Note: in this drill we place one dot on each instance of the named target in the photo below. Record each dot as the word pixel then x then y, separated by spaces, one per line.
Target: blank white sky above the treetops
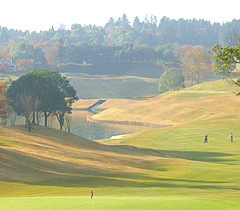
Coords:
pixel 43 14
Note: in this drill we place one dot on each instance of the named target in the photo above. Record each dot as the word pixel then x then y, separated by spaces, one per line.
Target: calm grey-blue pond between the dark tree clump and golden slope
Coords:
pixel 93 131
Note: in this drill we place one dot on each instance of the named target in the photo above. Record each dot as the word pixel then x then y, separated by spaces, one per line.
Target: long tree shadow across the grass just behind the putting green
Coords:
pixel 131 181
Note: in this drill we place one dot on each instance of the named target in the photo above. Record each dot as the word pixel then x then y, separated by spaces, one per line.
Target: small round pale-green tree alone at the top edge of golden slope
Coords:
pixel 171 79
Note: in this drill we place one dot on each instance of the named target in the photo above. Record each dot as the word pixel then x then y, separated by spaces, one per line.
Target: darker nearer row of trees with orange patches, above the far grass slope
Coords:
pixel 62 57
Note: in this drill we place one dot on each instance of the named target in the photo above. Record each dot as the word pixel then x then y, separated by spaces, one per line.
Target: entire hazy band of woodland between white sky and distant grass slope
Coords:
pixel 116 44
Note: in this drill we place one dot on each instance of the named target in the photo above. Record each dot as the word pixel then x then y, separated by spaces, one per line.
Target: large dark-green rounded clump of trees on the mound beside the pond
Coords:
pixel 44 91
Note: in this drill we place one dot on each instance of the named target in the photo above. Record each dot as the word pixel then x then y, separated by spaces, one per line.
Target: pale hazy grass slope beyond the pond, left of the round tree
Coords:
pixel 89 87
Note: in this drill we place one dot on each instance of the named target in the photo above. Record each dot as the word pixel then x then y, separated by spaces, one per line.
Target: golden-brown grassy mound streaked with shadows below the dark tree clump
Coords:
pixel 52 162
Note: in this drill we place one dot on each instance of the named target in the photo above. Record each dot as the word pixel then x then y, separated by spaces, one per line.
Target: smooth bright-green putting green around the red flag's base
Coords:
pixel 132 202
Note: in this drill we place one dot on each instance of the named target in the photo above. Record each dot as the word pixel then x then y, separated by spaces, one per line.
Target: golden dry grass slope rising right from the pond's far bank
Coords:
pixel 210 100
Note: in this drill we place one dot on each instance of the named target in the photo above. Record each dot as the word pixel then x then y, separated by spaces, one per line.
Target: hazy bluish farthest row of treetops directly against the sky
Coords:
pixel 150 31
